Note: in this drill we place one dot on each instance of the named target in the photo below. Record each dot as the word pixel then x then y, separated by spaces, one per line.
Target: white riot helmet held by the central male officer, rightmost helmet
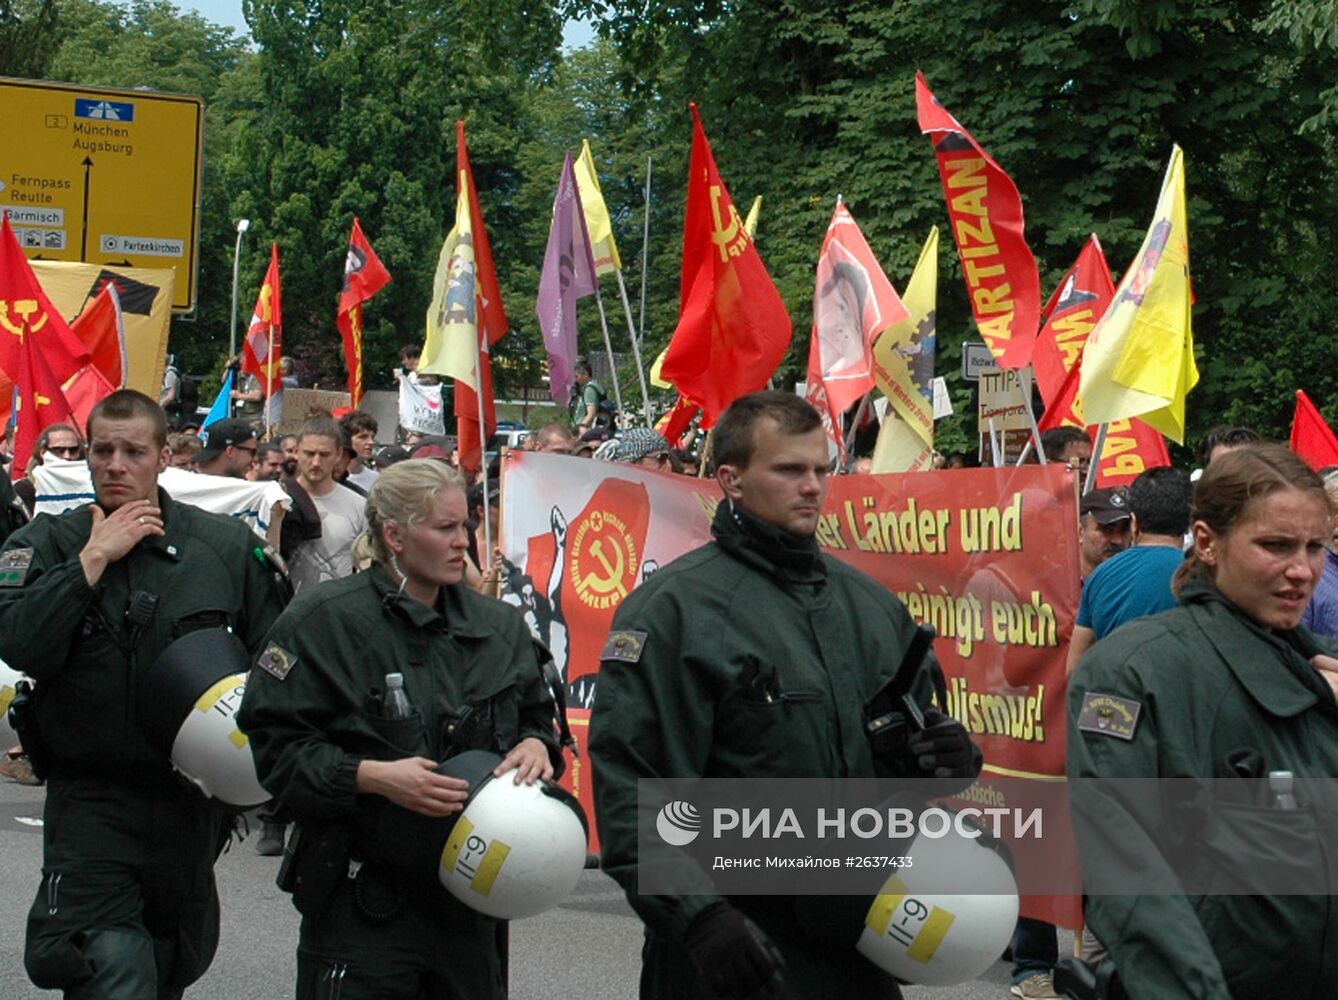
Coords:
pixel 932 938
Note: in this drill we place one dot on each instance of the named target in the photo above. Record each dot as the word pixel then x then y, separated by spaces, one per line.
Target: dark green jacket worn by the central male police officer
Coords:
pixel 834 637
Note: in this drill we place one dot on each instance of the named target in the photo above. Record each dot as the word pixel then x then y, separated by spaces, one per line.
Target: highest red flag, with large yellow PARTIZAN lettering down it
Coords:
pixel 987 215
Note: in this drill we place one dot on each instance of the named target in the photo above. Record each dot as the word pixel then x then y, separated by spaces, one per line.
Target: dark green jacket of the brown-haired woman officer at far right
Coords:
pixel 1209 681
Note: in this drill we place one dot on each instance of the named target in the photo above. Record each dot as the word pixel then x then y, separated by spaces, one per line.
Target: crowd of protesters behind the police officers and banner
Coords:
pixel 1133 543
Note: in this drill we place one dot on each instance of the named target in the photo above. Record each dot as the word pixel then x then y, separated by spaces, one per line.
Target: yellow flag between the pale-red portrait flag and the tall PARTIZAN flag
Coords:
pixel 904 371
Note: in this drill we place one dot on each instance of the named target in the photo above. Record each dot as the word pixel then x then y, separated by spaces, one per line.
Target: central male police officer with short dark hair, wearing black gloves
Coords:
pixel 754 657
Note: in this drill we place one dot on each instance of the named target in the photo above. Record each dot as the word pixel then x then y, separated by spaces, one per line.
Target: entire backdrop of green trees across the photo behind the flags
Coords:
pixel 347 108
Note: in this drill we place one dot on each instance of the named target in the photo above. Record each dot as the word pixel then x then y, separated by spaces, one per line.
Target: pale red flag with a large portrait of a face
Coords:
pixel 853 303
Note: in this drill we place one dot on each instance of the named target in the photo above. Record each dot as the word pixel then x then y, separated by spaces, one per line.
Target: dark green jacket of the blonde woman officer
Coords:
pixel 311 729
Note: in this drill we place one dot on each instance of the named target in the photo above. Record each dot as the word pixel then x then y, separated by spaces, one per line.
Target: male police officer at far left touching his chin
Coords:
pixel 128 906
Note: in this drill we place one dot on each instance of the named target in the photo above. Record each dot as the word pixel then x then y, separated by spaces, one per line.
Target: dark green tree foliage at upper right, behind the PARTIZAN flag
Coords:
pixel 1079 102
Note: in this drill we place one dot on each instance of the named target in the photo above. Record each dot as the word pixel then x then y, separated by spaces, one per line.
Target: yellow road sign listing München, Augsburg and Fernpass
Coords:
pixel 104 176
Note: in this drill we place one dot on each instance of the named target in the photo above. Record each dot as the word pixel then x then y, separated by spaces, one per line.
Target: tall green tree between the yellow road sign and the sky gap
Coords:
pixel 357 117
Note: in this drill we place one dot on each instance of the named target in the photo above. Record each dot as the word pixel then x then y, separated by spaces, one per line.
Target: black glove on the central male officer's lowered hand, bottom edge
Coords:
pixel 734 955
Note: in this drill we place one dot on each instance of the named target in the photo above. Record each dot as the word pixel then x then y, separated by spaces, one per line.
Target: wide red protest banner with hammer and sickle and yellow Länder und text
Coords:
pixel 971 552
